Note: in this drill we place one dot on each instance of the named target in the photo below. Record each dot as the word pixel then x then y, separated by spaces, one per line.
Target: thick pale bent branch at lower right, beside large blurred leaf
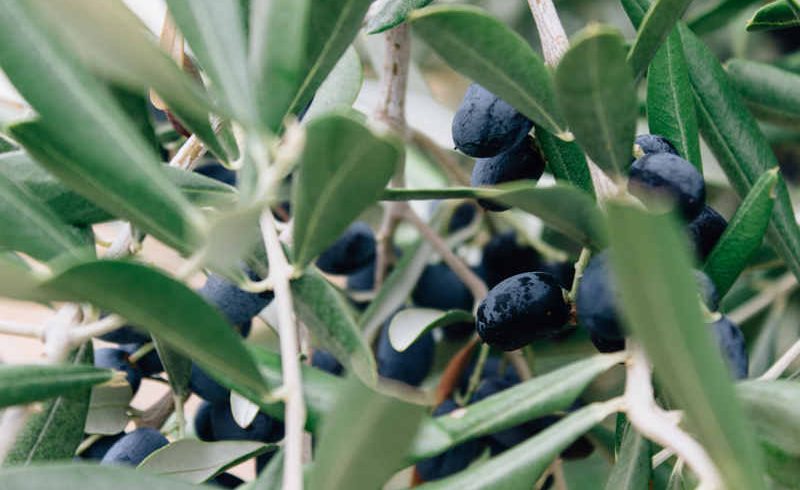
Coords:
pixel 655 424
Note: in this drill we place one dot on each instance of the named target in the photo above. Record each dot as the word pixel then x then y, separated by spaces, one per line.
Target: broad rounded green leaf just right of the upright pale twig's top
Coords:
pixel 342 171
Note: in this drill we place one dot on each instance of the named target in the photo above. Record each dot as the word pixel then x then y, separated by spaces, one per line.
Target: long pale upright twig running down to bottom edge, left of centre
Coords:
pixel 292 390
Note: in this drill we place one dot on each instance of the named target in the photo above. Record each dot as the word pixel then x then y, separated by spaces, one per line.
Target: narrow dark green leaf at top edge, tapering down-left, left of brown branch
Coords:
pixel 332 27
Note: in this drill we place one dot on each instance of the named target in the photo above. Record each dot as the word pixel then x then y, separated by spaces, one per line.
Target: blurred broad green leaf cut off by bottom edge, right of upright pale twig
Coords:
pixel 358 448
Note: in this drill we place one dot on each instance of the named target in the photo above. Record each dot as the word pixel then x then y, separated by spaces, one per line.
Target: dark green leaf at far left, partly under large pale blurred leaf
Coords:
pixel 124 186
